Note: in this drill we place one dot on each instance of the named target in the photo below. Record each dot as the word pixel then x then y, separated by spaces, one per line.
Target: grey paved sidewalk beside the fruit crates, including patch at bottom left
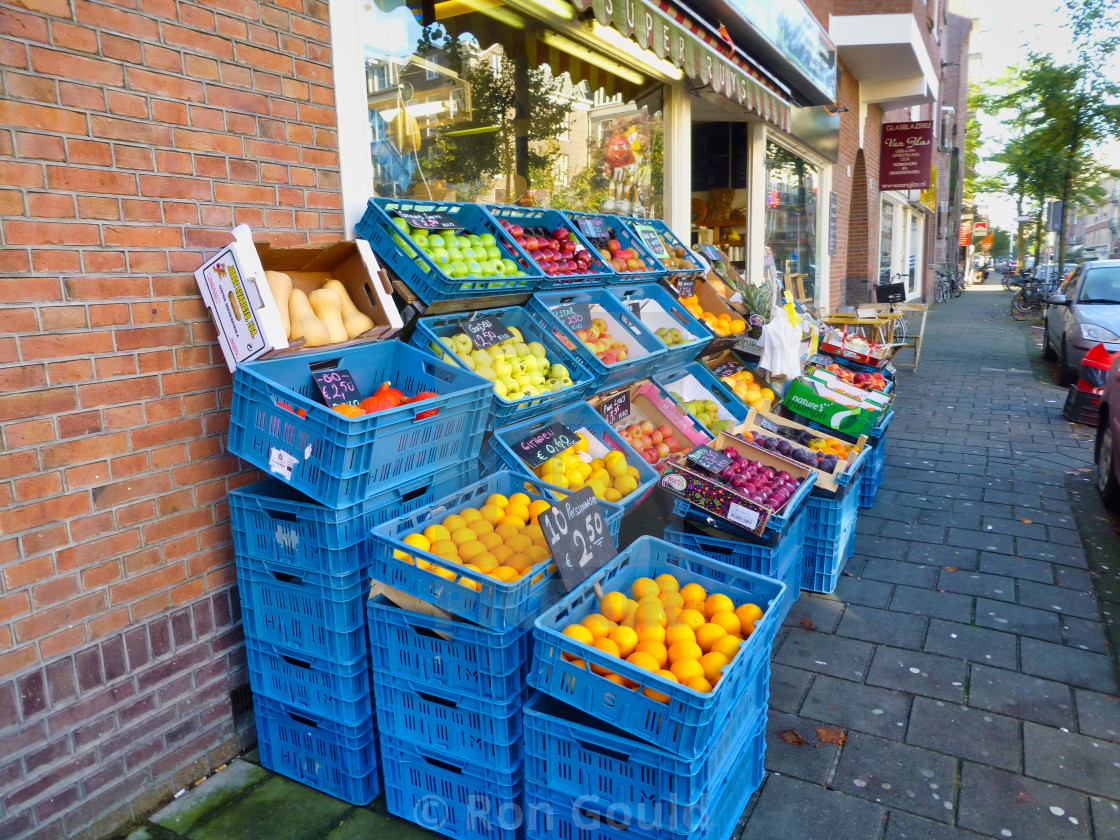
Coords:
pixel 963 662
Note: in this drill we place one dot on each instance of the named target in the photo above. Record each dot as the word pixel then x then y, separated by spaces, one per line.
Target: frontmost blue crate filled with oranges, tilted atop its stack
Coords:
pixel 671 683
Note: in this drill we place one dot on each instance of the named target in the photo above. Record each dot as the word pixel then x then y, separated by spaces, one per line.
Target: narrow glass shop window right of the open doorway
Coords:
pixel 791 219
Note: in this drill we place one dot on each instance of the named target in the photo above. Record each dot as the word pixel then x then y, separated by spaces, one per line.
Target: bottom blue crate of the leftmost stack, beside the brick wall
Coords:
pixel 337 759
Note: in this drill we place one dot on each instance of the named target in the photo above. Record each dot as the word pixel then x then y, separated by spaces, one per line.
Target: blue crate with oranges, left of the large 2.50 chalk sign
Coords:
pixel 479 554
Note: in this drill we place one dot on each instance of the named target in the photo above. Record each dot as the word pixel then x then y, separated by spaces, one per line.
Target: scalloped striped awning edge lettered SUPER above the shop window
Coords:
pixel 671 36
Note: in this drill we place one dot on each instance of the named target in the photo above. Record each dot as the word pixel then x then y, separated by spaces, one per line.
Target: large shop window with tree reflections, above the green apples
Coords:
pixel 489 105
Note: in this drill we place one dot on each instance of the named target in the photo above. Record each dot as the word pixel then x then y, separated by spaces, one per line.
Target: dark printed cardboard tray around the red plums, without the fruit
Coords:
pixel 697 487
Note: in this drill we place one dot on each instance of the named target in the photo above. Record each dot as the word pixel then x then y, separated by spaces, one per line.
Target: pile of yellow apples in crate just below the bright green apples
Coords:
pixel 518 369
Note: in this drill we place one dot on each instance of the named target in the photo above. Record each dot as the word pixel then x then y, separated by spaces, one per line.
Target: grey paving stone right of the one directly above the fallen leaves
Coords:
pixel 958 731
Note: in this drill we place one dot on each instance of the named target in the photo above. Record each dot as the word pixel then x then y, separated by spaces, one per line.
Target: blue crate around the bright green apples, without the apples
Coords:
pixel 419 272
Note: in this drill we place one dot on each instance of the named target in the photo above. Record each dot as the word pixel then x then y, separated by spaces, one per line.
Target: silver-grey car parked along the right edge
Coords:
pixel 1084 311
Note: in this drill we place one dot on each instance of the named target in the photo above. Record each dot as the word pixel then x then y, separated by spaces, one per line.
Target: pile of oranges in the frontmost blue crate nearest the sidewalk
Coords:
pixel 682 634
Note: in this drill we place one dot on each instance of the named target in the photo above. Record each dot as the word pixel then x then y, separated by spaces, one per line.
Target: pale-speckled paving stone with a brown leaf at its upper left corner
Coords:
pixel 899 777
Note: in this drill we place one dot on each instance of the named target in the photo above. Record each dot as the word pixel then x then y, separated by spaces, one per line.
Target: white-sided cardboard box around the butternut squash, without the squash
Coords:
pixel 240 302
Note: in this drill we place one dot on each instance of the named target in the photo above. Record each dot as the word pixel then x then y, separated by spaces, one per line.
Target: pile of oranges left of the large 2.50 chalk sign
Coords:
pixel 502 540
